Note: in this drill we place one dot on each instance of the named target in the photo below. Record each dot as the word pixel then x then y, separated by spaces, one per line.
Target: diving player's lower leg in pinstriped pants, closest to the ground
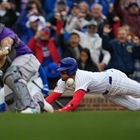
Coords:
pixel 126 101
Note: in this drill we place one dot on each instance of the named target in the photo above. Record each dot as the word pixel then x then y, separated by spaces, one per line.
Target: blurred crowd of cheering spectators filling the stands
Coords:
pixel 99 34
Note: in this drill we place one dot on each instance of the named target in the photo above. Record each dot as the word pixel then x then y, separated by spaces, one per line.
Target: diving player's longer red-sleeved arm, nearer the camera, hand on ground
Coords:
pixel 77 97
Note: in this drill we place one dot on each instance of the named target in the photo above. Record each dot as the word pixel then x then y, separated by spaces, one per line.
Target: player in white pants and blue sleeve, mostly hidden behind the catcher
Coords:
pixel 37 91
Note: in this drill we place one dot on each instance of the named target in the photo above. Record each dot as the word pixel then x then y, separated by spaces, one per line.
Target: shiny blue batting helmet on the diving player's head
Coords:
pixel 69 64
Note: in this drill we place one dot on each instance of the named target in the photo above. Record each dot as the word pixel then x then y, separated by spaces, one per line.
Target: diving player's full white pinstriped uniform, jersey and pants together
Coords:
pixel 118 85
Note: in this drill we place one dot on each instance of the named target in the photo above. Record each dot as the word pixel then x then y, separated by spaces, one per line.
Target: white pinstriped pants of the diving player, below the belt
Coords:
pixel 124 91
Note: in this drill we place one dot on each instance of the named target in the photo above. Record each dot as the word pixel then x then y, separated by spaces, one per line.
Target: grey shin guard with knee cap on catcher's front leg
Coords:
pixel 13 80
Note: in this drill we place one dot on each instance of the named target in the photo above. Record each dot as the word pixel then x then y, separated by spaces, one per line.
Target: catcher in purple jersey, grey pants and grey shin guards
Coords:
pixel 18 65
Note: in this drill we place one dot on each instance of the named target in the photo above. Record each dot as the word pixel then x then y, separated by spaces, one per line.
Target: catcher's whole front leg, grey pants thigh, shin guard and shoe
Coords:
pixel 17 77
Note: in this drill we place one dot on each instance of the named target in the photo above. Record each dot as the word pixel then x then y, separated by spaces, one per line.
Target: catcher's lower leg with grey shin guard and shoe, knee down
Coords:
pixel 20 93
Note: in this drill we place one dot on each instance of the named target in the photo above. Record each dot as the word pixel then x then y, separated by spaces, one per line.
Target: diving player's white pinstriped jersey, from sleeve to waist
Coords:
pixel 92 82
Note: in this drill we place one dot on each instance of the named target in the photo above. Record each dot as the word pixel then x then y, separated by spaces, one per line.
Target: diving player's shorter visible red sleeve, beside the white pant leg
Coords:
pixel 52 97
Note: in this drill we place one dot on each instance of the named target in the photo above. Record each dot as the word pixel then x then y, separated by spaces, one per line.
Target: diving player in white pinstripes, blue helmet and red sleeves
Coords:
pixel 112 83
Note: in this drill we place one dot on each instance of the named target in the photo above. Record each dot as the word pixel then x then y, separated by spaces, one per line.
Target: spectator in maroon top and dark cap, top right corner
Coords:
pixel 131 16
